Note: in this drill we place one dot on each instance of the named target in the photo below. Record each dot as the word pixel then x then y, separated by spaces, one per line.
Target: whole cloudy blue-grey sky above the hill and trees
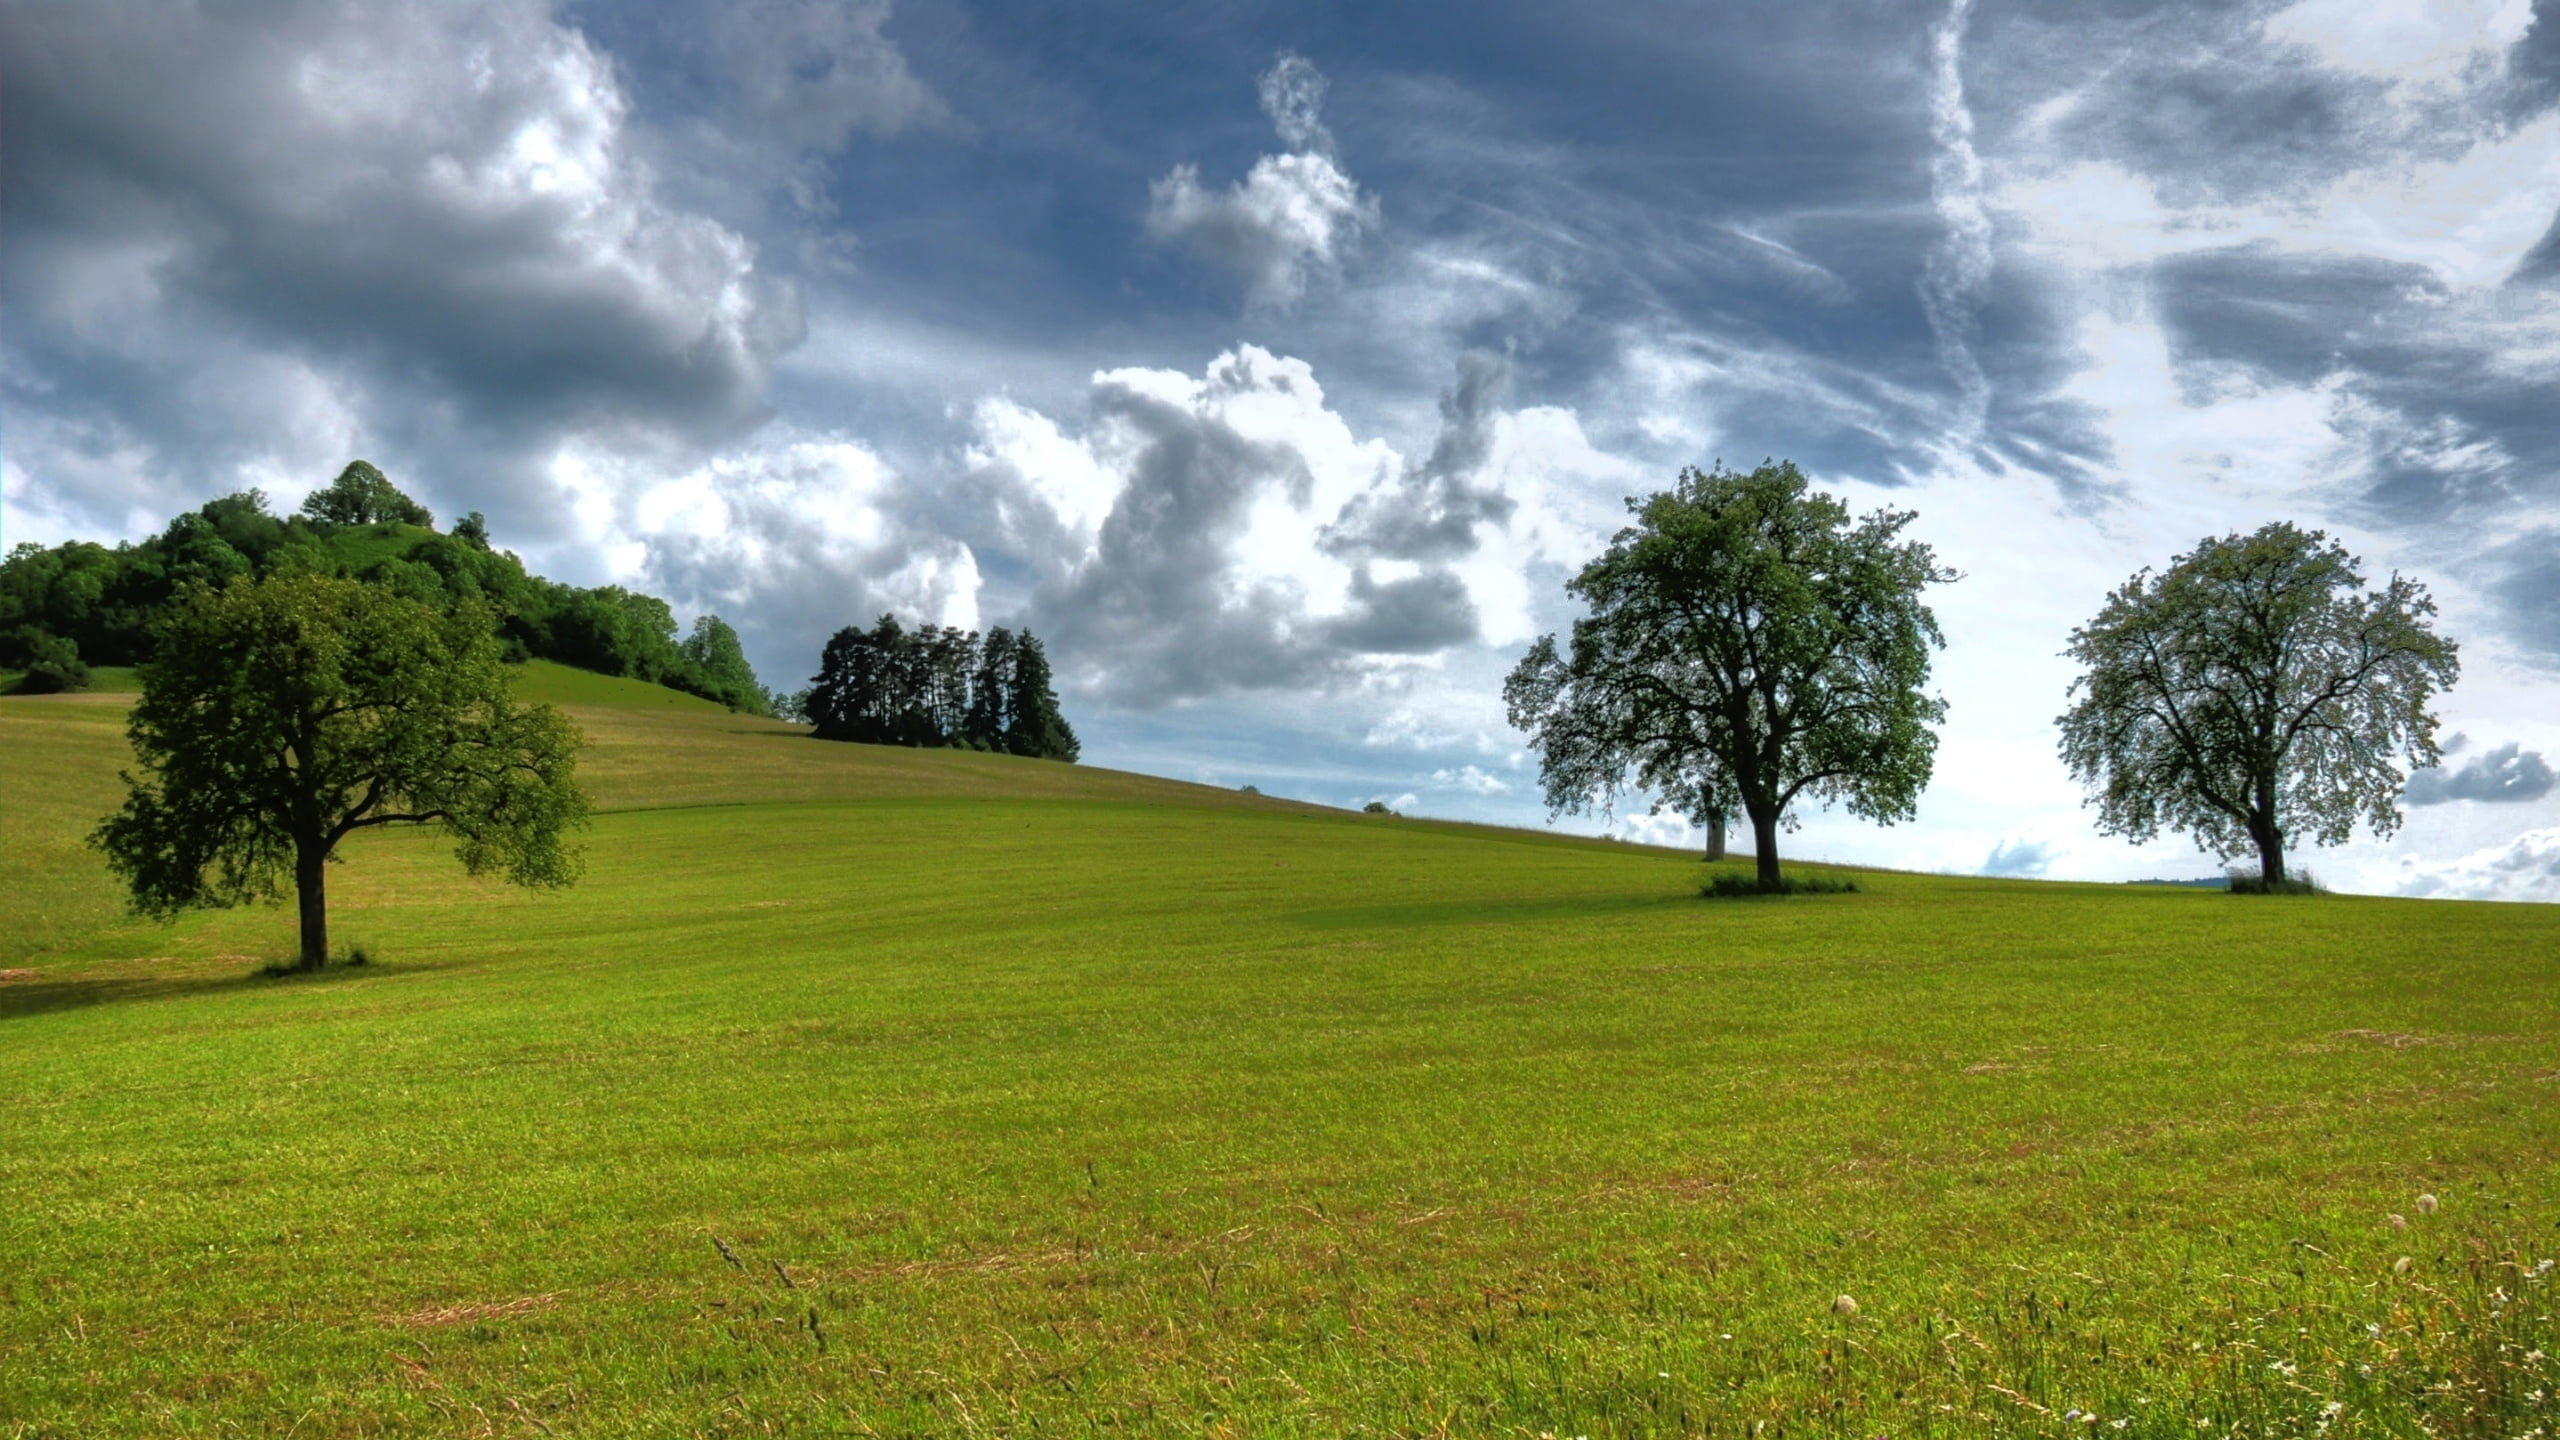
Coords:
pixel 1279 363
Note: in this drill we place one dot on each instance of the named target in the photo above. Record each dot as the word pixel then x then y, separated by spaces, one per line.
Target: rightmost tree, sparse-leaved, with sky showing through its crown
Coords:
pixel 2252 693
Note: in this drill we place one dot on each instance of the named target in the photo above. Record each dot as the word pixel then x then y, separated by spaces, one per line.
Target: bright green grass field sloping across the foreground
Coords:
pixel 884 1093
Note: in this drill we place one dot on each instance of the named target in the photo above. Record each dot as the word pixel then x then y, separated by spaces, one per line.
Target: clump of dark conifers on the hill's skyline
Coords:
pixel 938 688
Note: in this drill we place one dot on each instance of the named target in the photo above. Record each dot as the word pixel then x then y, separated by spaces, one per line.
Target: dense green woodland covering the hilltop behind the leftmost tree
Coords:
pixel 81 603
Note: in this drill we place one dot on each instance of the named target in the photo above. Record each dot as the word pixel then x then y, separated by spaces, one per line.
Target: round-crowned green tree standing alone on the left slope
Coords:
pixel 285 714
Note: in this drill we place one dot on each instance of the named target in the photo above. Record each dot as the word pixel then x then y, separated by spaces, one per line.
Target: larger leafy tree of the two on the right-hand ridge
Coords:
pixel 1747 647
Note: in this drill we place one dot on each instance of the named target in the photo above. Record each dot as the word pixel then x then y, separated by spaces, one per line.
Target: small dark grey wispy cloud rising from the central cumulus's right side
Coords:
pixel 1435 511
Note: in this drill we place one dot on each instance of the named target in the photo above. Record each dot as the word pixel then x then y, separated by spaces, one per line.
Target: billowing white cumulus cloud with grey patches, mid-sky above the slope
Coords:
pixel 1233 532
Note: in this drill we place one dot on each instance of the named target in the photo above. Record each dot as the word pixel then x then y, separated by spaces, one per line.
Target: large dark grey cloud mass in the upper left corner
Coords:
pixel 429 214
